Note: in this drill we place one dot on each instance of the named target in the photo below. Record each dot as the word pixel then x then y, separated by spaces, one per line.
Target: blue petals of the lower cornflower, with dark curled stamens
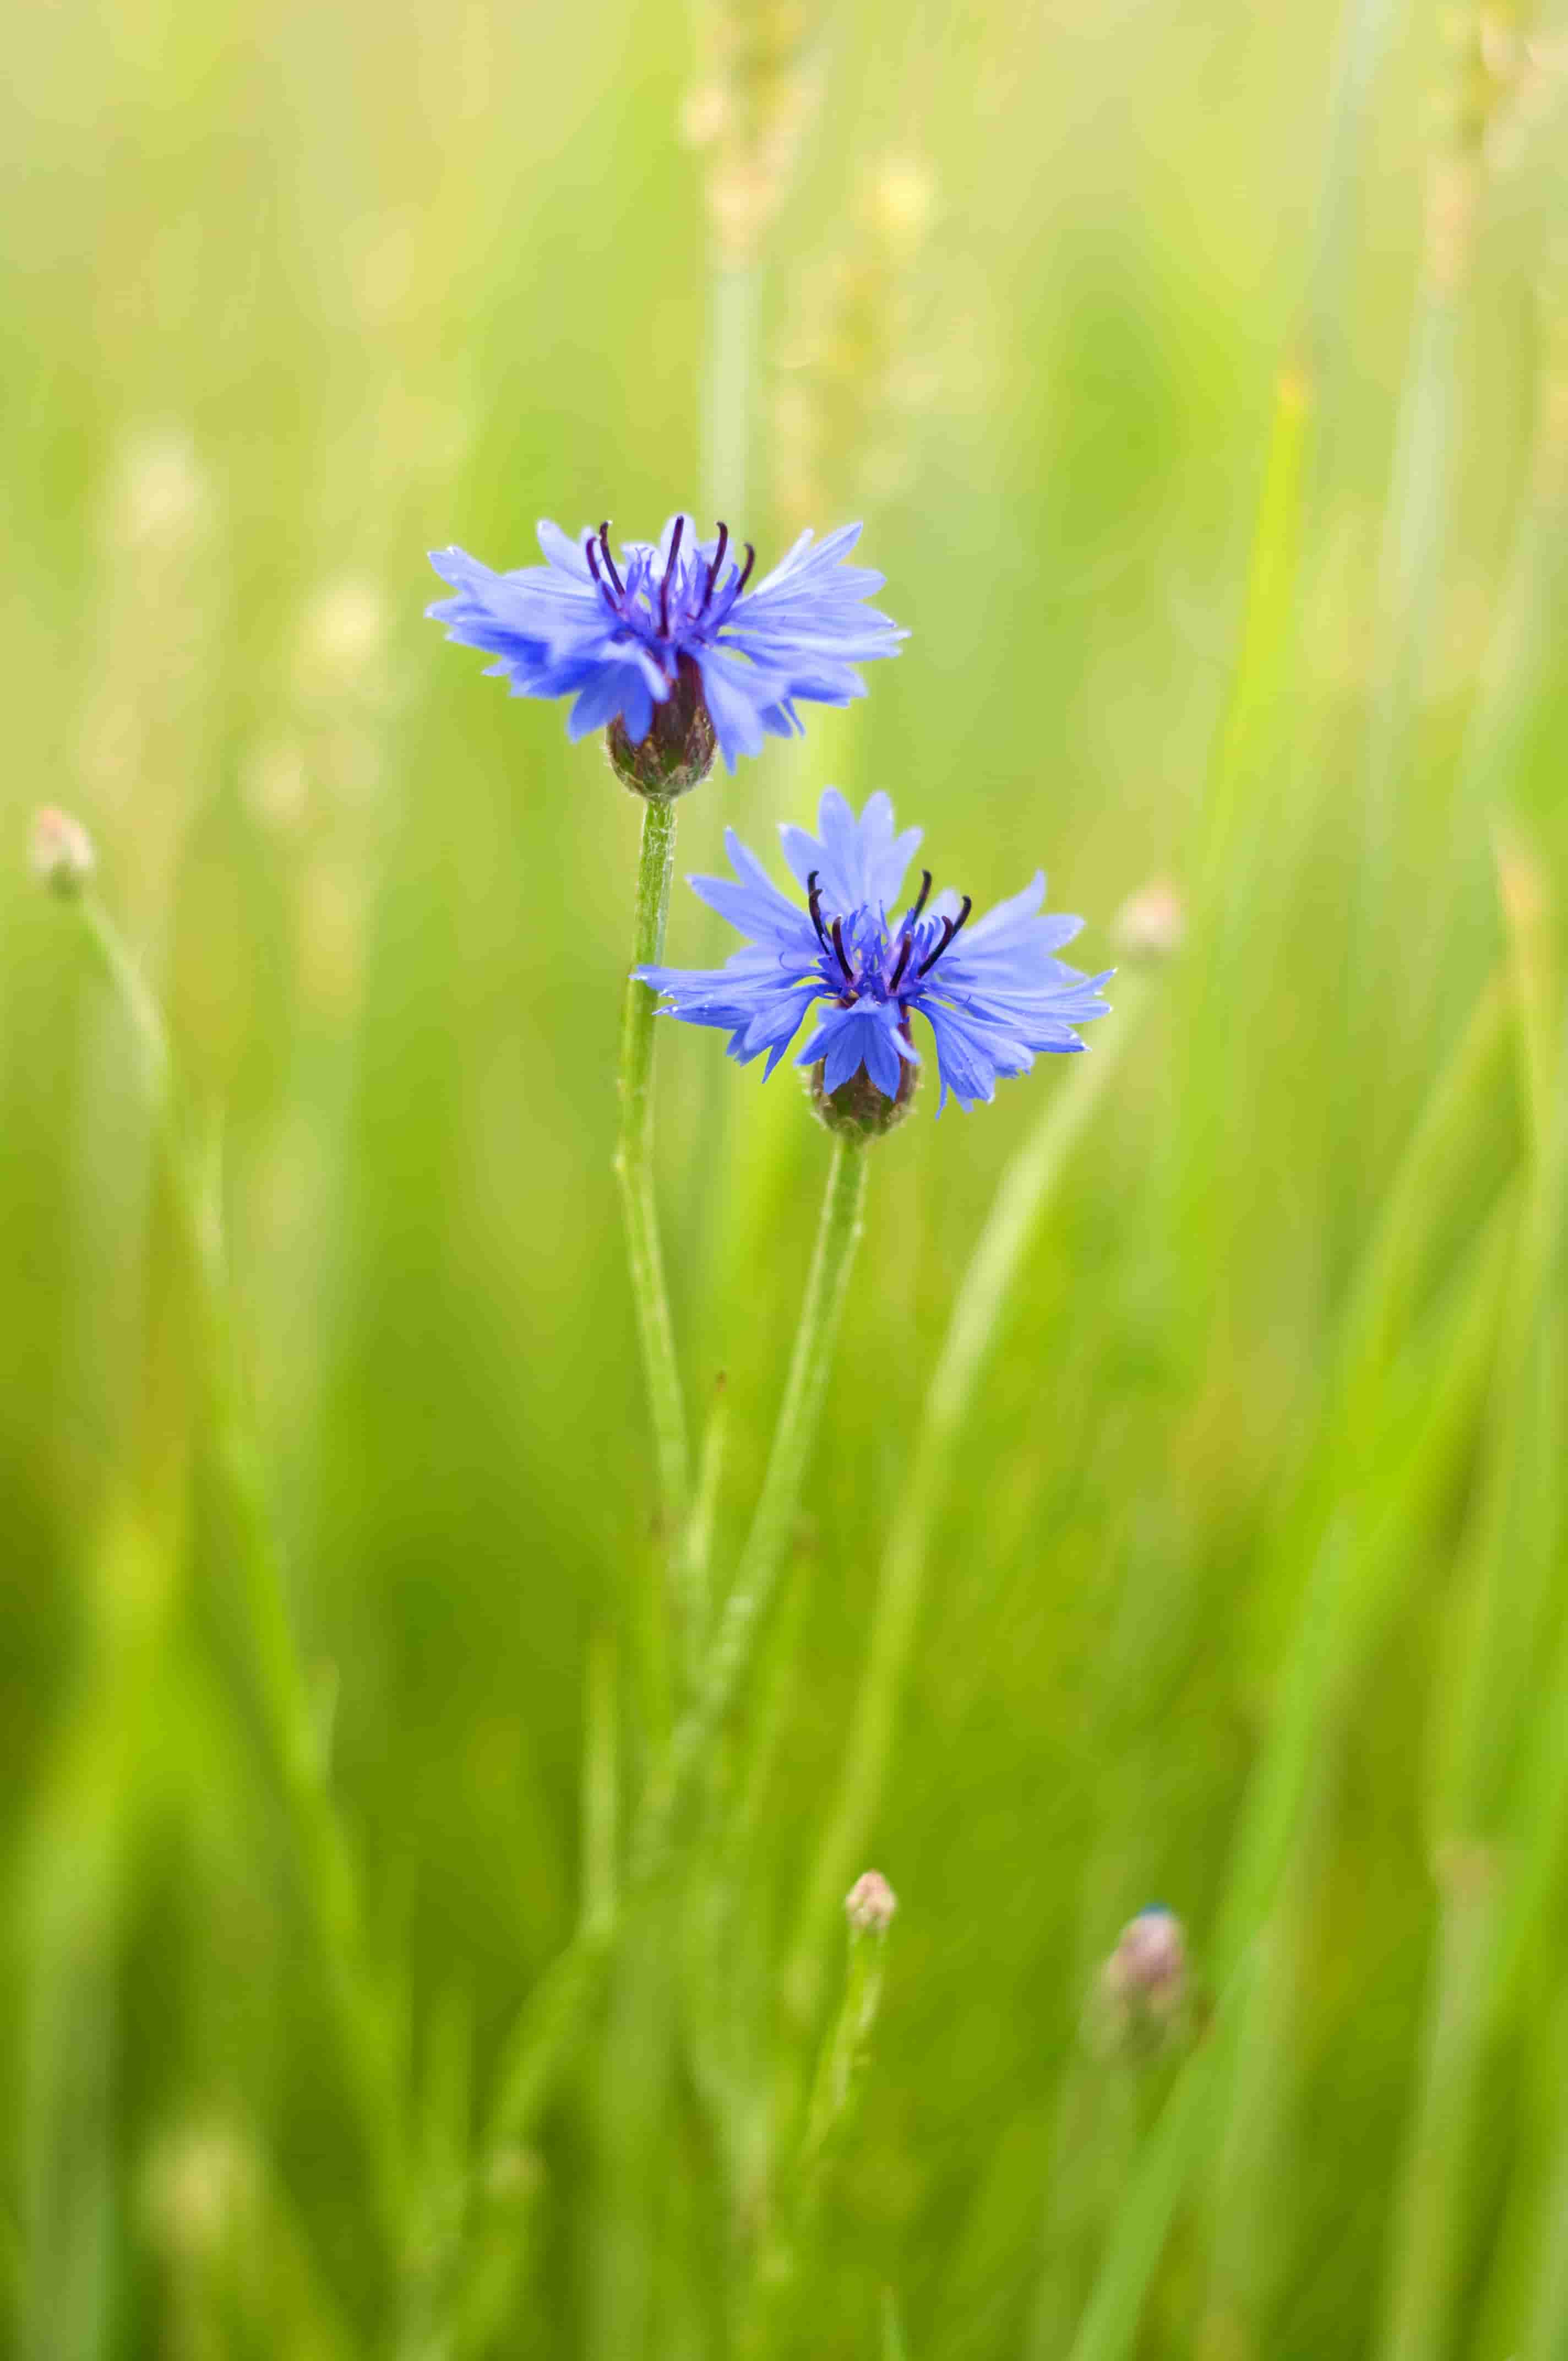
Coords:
pixel 993 993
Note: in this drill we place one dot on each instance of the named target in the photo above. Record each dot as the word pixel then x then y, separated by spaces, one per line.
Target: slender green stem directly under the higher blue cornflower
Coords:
pixel 636 1163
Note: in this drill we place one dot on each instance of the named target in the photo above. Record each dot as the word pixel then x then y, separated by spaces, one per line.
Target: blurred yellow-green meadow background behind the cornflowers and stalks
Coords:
pixel 1203 379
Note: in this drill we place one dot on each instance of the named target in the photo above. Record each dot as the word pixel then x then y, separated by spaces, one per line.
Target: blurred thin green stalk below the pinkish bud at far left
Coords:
pixel 282 1687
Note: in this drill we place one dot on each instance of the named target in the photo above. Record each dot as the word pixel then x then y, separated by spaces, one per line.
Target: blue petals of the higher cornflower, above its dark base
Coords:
pixel 622 636
